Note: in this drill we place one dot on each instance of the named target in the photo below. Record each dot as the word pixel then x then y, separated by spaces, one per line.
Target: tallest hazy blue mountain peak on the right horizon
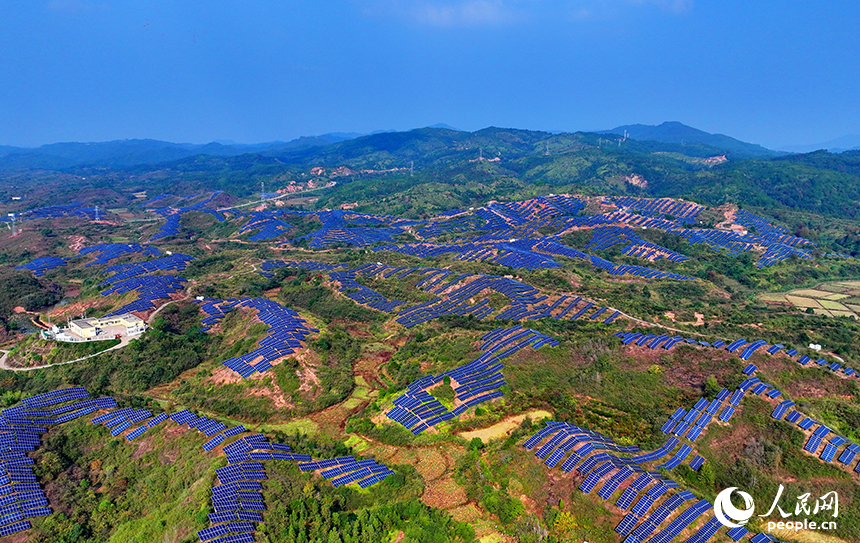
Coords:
pixel 675 132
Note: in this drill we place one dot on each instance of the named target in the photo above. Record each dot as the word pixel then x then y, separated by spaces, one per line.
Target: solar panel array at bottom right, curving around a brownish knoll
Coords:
pixel 570 446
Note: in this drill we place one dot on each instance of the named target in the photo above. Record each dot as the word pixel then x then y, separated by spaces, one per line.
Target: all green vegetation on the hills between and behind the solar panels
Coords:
pixel 329 398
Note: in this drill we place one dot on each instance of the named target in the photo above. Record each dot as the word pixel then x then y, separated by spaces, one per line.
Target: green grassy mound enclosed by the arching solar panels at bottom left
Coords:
pixel 155 497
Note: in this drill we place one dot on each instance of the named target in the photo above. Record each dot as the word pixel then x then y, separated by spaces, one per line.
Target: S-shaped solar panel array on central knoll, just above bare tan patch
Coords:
pixel 476 382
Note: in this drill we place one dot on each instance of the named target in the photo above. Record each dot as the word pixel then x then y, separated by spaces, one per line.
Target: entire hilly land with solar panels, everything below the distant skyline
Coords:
pixel 432 336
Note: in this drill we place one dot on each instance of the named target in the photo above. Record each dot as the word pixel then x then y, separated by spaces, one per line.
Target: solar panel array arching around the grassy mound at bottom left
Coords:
pixel 237 500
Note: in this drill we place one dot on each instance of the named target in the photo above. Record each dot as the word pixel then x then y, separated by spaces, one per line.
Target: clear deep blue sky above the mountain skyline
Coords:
pixel 768 72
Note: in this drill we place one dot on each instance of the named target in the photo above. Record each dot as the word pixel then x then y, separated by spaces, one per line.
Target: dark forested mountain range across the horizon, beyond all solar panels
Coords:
pixel 433 160
